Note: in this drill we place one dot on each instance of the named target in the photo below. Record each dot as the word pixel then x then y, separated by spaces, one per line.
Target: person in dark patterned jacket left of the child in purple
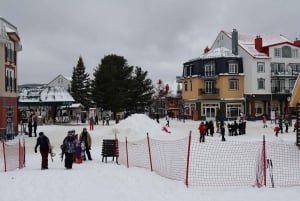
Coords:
pixel 68 149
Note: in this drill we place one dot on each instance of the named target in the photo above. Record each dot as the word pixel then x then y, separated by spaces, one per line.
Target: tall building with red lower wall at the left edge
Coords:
pixel 10 45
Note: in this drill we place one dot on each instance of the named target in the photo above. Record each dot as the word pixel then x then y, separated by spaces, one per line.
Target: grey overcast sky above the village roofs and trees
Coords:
pixel 156 35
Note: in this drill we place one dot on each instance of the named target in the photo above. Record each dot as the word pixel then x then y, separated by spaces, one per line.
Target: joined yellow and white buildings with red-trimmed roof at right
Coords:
pixel 242 74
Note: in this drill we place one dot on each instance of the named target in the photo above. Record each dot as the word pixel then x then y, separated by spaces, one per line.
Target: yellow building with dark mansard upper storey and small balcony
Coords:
pixel 213 84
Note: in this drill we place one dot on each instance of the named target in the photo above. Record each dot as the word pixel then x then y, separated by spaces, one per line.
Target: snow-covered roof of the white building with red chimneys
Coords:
pixel 247 42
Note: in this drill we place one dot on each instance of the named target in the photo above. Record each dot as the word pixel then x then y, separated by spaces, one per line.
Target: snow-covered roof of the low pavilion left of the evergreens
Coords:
pixel 44 94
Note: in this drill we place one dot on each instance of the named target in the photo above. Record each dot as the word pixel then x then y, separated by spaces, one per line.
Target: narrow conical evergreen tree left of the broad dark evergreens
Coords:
pixel 80 85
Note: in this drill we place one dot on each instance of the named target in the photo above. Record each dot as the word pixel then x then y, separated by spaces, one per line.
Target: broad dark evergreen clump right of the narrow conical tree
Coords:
pixel 117 87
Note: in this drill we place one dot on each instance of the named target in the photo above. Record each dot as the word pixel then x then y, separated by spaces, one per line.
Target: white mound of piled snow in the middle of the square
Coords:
pixel 136 127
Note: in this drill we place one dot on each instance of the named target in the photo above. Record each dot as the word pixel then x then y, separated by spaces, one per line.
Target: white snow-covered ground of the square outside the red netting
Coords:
pixel 94 180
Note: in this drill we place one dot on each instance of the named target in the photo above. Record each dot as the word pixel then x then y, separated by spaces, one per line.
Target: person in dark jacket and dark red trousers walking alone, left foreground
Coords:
pixel 45 148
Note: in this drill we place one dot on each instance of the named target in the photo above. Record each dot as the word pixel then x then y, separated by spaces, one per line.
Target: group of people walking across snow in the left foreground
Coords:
pixel 74 148
